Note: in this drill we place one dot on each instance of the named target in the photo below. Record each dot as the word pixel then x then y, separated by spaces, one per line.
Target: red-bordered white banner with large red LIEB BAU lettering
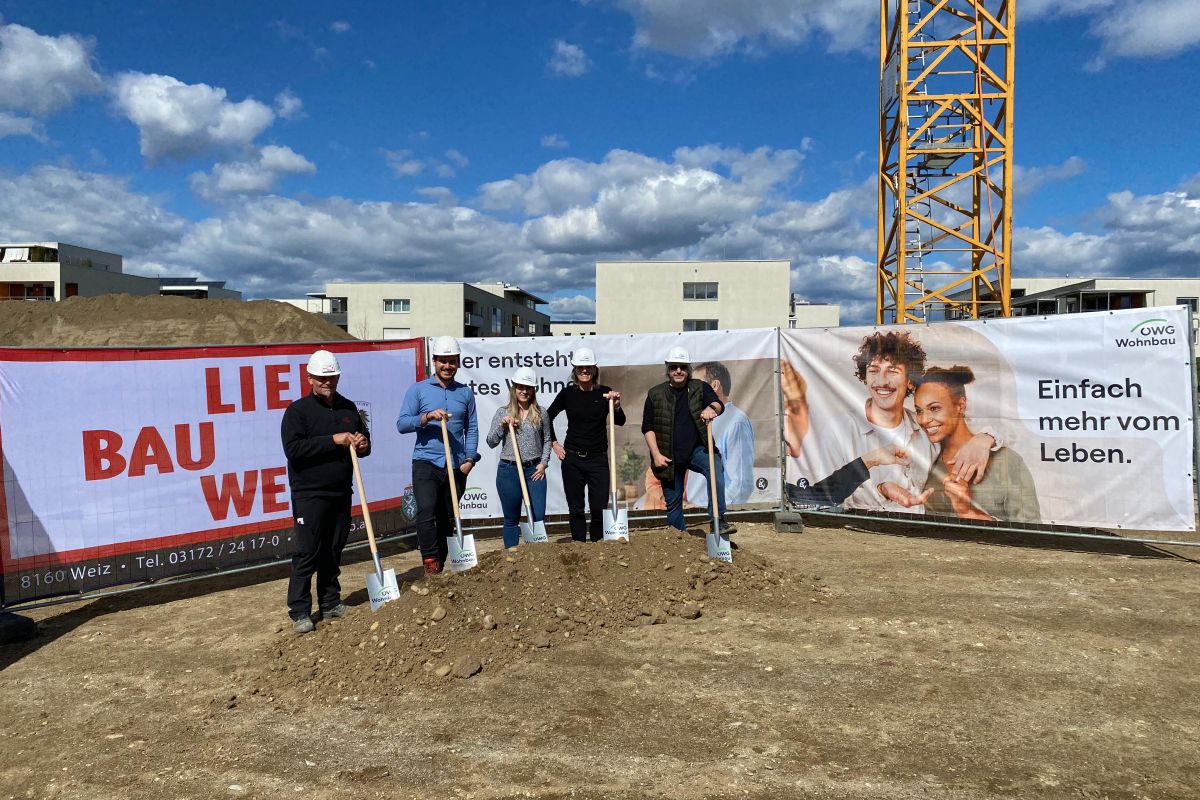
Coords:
pixel 129 465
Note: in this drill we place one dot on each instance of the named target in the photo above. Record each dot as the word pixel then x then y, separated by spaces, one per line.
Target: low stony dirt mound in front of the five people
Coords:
pixel 514 605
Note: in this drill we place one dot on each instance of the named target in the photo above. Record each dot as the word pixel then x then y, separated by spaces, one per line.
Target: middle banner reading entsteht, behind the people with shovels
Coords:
pixel 747 435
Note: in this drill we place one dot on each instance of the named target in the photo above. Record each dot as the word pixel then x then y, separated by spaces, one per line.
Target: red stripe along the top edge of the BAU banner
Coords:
pixel 217 352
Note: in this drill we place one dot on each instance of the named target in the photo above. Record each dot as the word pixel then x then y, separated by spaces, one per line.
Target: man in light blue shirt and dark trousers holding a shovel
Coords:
pixel 427 404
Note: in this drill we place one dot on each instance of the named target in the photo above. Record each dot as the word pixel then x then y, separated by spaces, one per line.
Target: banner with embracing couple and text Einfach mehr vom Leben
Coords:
pixel 1073 420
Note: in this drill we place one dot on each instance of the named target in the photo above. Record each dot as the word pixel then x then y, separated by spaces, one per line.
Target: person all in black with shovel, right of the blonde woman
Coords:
pixel 585 453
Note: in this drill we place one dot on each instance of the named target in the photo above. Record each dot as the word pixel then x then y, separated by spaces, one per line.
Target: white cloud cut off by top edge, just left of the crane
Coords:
pixel 706 29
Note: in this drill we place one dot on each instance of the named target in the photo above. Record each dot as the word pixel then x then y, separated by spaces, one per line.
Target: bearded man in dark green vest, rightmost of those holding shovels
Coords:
pixel 675 424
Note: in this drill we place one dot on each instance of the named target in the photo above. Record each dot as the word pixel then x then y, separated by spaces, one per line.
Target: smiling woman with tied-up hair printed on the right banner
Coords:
pixel 1007 490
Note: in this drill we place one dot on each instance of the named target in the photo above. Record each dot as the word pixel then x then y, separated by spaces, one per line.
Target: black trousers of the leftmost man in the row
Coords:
pixel 322 526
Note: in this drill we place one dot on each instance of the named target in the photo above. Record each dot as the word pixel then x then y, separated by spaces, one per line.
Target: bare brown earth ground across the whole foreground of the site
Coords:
pixel 898 666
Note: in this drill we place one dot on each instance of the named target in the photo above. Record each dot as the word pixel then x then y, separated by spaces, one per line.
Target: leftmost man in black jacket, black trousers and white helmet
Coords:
pixel 319 431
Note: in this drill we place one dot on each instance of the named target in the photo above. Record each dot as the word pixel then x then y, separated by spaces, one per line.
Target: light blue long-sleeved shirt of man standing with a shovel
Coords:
pixel 463 426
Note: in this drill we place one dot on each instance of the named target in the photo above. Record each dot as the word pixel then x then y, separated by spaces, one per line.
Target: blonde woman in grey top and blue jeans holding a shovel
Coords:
pixel 532 425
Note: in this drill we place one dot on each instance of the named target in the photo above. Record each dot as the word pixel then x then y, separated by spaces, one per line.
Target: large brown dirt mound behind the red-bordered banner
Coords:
pixel 127 321
